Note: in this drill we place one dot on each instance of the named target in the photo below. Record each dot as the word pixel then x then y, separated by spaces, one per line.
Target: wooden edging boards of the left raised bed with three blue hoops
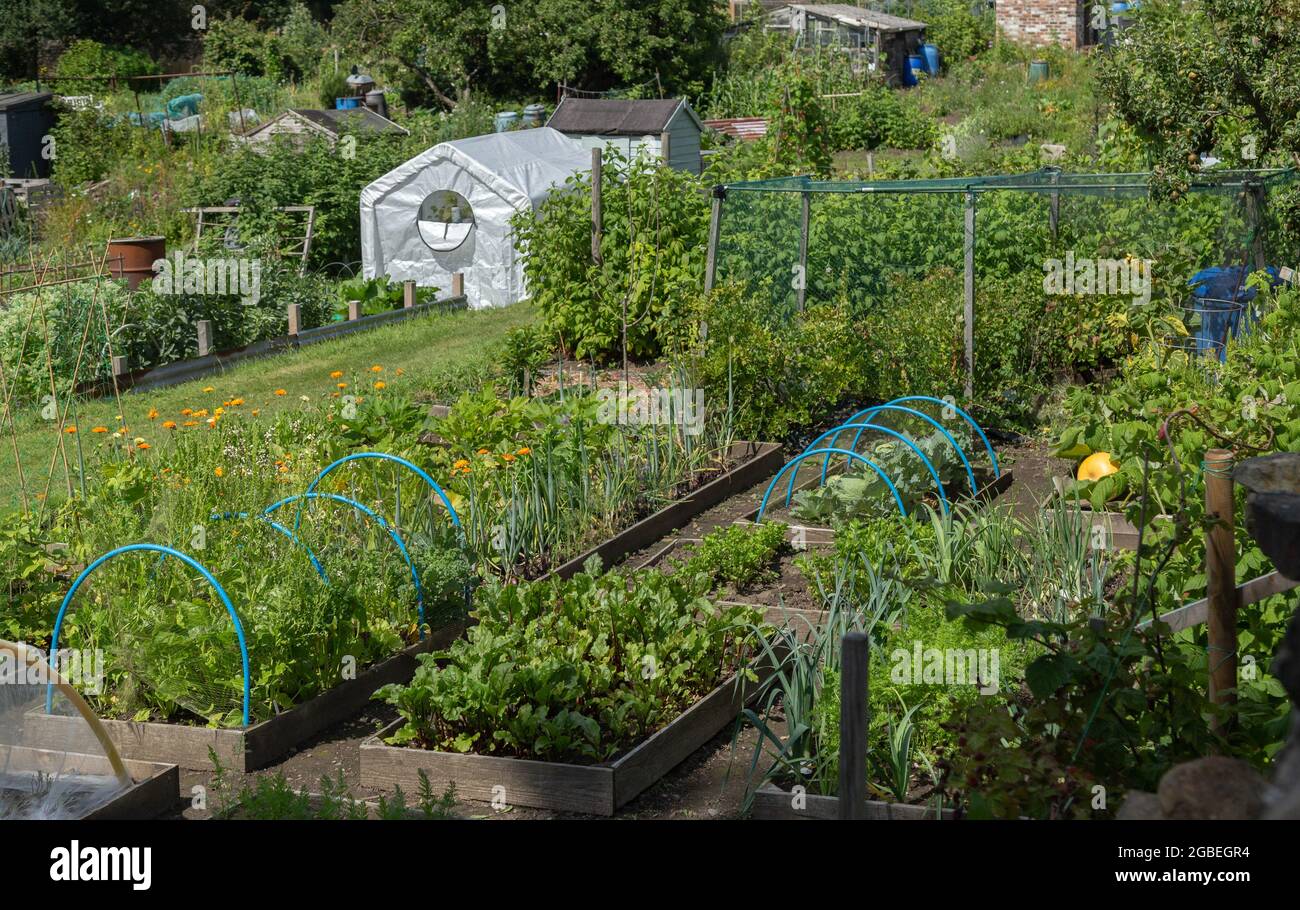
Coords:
pixel 261 744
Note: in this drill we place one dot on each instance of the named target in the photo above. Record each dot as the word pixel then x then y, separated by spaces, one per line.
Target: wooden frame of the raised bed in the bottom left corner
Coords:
pixel 154 791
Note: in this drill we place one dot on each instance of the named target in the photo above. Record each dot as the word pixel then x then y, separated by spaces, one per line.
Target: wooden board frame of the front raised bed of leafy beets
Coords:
pixel 593 790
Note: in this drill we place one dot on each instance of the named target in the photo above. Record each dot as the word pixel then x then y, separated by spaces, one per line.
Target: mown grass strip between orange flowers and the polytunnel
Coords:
pixel 414 356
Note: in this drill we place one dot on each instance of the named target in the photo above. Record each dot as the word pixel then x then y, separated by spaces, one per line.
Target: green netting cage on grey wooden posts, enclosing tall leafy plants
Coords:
pixel 800 241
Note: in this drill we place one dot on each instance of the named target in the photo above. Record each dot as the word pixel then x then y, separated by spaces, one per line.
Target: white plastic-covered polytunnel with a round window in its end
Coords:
pixel 449 210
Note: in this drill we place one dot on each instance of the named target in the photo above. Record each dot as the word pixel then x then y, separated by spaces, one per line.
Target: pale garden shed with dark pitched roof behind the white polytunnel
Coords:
pixel 634 128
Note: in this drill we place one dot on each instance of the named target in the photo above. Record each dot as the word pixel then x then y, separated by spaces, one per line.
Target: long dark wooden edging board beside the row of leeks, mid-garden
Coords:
pixel 753 461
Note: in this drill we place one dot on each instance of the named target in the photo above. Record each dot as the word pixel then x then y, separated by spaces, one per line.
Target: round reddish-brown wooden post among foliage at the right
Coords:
pixel 1221 582
